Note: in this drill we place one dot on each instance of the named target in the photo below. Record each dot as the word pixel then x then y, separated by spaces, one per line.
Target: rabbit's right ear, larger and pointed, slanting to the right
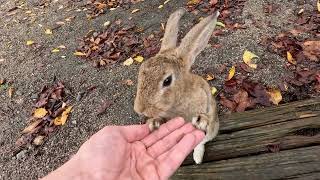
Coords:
pixel 197 39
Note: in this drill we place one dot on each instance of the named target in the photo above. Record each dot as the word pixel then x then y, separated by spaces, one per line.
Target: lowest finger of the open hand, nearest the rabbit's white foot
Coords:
pixel 170 161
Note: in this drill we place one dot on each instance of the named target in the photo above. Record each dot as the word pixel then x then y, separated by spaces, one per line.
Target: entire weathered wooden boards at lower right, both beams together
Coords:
pixel 254 137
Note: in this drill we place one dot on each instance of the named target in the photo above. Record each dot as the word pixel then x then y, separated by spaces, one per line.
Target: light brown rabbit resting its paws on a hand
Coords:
pixel 166 87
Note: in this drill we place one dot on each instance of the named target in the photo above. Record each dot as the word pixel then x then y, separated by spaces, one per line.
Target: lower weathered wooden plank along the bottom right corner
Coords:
pixel 302 163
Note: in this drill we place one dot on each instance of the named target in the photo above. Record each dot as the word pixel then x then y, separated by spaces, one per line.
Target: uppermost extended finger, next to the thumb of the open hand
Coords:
pixel 163 131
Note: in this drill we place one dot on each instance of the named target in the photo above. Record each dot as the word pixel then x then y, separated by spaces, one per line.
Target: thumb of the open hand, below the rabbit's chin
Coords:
pixel 130 133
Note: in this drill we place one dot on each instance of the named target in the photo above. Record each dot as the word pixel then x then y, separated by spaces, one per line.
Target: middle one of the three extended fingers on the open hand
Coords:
pixel 169 141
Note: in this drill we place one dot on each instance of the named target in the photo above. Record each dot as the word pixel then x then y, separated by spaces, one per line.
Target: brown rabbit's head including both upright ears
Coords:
pixel 163 79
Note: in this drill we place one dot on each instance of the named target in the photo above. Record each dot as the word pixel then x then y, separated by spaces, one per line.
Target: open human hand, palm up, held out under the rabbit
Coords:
pixel 132 152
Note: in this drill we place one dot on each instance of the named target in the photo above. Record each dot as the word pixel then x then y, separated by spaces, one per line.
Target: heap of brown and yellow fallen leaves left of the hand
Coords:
pixel 52 109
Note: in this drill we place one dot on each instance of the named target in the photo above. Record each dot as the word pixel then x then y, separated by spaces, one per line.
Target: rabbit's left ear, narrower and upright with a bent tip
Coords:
pixel 169 40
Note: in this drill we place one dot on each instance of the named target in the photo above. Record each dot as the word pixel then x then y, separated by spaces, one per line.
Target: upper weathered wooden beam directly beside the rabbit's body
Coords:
pixel 278 128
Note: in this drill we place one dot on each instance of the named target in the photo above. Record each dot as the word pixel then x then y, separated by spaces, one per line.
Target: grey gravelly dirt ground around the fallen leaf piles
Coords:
pixel 29 68
